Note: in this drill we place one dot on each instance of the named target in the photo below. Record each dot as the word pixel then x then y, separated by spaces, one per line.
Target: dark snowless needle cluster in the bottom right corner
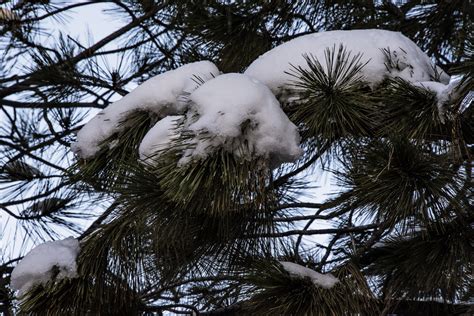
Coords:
pixel 430 264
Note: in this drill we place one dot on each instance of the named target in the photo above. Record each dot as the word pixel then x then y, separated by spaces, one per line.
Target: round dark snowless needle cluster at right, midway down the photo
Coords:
pixel 396 180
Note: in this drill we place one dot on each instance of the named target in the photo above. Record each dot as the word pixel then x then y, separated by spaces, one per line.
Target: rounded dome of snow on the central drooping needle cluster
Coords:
pixel 241 115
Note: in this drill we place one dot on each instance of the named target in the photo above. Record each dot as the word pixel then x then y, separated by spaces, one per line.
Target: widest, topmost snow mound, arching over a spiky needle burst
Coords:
pixel 409 60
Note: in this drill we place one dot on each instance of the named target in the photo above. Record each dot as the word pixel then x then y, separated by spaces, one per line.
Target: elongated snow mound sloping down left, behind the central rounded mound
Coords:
pixel 163 94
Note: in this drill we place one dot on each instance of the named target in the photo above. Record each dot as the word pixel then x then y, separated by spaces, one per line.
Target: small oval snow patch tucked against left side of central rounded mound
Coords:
pixel 159 137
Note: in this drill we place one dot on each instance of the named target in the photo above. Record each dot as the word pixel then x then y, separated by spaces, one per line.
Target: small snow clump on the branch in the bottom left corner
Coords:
pixel 38 266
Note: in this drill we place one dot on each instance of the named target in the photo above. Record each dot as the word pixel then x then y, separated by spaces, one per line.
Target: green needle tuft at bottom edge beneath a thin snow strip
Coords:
pixel 279 293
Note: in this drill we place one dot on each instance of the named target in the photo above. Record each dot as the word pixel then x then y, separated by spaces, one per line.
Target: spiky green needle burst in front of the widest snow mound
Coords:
pixel 334 101
